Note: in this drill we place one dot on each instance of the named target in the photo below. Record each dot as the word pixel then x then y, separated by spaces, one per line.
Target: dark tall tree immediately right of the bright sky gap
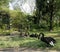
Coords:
pixel 40 6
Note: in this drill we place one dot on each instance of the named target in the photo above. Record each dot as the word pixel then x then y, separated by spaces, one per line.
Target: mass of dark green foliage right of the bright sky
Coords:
pixel 46 11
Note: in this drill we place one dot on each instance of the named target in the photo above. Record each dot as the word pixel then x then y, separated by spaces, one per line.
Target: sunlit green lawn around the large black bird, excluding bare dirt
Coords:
pixel 7 41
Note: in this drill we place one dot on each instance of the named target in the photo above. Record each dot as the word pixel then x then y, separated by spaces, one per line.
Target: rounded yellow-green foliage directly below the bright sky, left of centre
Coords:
pixel 17 19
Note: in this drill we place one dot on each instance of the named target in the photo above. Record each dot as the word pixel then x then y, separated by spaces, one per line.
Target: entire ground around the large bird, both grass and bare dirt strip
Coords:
pixel 26 44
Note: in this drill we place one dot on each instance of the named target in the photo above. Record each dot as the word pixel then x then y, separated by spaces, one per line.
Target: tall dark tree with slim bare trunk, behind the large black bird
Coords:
pixel 51 8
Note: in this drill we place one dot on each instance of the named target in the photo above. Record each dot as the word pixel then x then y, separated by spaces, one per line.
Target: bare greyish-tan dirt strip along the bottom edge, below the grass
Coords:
pixel 25 50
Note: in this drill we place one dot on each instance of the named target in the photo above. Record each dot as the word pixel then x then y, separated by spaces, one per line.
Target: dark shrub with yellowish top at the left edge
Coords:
pixel 5 18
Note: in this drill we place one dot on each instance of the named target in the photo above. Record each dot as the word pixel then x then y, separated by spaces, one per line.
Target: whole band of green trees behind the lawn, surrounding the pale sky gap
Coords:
pixel 46 16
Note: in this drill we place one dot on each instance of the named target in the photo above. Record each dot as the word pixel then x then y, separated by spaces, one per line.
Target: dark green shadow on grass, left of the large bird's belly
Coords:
pixel 35 45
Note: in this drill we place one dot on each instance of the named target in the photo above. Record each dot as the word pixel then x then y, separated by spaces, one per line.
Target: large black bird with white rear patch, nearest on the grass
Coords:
pixel 47 40
